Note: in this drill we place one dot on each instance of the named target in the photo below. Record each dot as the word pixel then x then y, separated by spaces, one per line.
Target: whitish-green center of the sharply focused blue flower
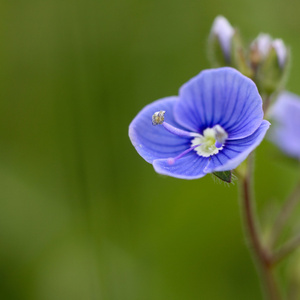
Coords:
pixel 211 142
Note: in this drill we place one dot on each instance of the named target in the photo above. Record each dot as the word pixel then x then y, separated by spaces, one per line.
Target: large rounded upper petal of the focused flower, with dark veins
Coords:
pixel 221 96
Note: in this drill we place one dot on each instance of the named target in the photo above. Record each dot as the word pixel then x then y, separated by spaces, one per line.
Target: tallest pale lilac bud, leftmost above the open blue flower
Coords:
pixel 220 41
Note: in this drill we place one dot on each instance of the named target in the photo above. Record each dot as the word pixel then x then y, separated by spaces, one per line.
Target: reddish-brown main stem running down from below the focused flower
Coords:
pixel 261 255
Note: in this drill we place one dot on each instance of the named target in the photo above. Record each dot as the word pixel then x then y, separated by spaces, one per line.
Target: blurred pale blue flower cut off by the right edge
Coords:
pixel 286 116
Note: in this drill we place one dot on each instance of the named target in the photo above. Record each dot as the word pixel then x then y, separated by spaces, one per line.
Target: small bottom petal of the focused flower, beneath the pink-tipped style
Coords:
pixel 188 167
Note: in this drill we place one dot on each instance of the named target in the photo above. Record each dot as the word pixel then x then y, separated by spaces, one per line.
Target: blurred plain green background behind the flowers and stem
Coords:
pixel 82 216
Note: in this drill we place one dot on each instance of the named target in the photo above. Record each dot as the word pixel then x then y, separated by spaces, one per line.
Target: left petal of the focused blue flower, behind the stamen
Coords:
pixel 153 142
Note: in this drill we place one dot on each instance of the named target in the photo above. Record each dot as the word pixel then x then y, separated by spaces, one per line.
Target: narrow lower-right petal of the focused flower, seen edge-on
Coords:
pixel 236 151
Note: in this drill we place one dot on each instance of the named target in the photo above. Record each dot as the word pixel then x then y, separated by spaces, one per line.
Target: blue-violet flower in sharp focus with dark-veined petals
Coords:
pixel 213 125
